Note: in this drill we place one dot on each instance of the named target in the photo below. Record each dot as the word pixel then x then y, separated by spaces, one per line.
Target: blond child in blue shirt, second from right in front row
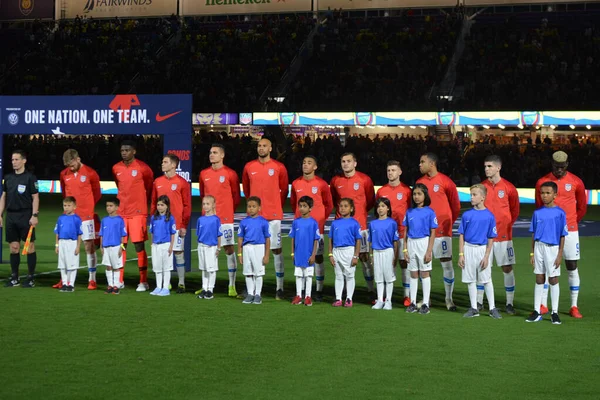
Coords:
pixel 477 232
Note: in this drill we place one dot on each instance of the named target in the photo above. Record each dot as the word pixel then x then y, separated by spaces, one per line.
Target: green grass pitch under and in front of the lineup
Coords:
pixel 88 345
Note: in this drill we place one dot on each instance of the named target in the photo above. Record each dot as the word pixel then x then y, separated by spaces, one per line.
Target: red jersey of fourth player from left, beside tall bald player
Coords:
pixel 223 184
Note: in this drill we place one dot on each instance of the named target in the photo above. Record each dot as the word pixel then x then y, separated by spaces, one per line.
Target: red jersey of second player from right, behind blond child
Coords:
pixel 503 201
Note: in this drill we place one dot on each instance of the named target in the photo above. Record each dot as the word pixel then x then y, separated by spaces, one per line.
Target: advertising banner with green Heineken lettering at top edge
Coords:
pixel 212 7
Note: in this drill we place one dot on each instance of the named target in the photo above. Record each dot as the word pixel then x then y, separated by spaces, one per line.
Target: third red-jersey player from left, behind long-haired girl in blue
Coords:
pixel 179 192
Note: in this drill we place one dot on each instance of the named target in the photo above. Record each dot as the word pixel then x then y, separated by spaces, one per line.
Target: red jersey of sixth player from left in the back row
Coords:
pixel 318 190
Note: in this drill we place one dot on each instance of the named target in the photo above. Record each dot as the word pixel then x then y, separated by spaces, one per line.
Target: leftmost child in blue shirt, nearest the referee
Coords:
pixel 68 241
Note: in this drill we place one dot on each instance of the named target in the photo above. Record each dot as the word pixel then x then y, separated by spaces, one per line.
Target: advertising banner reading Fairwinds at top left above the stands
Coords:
pixel 119 8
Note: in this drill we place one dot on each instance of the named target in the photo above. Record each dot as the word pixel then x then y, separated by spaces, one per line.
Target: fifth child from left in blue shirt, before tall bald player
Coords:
pixel 254 240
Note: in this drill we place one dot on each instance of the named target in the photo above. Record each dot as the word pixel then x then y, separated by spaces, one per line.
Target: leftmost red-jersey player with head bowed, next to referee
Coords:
pixel 82 183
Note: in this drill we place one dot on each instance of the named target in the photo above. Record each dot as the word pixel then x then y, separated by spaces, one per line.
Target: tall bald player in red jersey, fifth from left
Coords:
pixel 267 179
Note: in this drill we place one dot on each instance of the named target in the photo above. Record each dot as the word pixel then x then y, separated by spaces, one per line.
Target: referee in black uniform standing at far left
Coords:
pixel 21 200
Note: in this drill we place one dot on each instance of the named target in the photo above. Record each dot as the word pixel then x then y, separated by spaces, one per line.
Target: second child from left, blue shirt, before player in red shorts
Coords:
pixel 112 232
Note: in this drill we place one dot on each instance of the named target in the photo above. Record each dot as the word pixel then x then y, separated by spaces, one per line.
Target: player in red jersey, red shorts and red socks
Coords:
pixel 134 183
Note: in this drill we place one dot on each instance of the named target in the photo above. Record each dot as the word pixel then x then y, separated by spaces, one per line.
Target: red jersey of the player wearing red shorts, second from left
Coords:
pixel 134 183
